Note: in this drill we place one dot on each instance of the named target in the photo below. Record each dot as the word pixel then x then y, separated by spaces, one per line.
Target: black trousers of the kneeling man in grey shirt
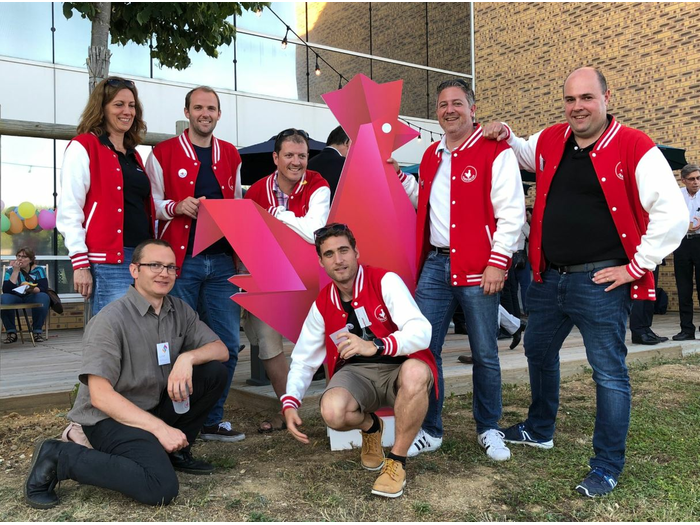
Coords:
pixel 132 461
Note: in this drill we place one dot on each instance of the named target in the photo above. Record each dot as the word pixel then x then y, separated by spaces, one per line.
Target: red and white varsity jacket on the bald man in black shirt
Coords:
pixel 642 194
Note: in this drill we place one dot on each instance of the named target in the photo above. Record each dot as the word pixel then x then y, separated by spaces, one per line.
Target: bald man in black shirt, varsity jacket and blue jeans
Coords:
pixel 607 211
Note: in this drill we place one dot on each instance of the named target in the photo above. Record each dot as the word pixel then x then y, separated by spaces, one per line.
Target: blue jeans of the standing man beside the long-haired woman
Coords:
pixel 204 285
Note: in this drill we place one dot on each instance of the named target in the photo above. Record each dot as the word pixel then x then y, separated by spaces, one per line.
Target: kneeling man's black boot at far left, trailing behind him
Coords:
pixel 43 477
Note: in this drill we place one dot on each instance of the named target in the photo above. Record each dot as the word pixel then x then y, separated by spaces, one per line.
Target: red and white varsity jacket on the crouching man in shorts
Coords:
pixel 394 317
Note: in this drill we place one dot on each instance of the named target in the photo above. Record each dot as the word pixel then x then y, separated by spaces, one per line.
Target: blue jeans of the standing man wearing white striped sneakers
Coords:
pixel 437 299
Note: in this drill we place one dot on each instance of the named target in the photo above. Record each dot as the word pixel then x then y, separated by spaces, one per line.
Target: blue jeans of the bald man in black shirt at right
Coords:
pixel 556 305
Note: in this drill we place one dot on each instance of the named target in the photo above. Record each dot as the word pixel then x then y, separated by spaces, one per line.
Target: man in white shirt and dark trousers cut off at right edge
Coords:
pixel 686 258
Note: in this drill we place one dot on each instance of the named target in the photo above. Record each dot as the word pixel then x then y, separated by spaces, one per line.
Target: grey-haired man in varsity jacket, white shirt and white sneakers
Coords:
pixel 471 209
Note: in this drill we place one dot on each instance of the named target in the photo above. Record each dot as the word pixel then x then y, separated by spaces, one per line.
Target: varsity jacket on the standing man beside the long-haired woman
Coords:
pixel 173 167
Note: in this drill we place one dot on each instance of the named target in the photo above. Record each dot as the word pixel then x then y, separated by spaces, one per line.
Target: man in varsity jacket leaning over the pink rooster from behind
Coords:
pixel 300 198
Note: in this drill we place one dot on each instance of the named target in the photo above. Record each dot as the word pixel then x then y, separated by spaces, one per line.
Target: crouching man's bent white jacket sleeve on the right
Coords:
pixel 414 330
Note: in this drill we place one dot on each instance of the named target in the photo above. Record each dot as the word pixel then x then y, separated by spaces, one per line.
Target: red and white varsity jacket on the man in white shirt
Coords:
pixel 486 203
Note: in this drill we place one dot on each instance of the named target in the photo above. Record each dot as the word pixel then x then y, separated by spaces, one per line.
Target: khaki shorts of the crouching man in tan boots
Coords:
pixel 372 385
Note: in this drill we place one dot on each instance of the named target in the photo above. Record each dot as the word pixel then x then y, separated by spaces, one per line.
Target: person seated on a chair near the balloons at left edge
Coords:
pixel 24 271
